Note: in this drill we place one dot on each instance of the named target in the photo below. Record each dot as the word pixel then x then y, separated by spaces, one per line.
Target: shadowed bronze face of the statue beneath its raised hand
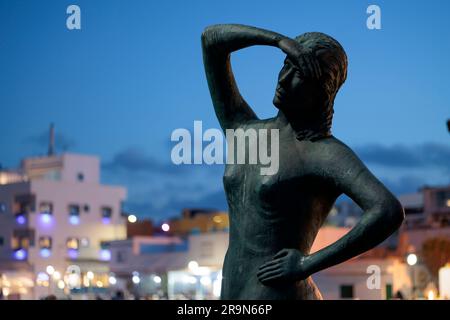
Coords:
pixel 294 91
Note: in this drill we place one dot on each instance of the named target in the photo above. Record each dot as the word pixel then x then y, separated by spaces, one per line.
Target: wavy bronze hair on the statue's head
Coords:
pixel 333 63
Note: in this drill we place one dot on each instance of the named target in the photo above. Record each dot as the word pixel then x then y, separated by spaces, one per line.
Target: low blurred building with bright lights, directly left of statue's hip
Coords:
pixel 170 267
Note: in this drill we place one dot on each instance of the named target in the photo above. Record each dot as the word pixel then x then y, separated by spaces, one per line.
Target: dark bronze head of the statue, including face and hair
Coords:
pixel 308 99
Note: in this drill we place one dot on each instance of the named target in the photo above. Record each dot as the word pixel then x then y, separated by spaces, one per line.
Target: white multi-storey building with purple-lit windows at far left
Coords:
pixel 58 215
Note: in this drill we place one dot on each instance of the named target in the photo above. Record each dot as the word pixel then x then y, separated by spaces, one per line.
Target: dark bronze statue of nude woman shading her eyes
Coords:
pixel 275 219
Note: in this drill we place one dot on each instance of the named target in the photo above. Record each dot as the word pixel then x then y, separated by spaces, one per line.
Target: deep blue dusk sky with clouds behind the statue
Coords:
pixel 118 87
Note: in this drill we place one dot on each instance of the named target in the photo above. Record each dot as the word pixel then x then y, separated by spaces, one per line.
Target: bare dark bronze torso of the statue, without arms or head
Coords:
pixel 269 213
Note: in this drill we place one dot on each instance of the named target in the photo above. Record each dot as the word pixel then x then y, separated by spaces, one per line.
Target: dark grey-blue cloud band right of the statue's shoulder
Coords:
pixel 400 156
